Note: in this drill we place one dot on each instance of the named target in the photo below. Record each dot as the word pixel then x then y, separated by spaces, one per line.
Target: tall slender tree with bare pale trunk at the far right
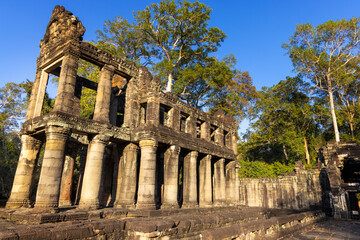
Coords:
pixel 327 55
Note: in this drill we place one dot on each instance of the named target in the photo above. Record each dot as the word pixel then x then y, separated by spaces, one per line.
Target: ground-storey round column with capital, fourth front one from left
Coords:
pixel 146 191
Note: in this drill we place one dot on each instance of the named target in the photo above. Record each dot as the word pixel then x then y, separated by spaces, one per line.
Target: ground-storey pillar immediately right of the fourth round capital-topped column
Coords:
pixel 171 168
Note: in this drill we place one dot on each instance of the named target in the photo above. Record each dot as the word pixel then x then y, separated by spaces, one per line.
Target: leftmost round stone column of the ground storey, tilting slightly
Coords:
pixel 22 186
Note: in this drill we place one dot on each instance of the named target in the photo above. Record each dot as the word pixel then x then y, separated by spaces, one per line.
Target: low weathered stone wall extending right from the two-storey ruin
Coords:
pixel 298 190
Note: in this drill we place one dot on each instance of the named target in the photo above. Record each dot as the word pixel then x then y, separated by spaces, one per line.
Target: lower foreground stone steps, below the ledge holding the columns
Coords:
pixel 252 222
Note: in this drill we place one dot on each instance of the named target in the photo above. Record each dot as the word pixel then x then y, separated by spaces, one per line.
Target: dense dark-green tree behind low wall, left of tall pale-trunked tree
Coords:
pixel 286 119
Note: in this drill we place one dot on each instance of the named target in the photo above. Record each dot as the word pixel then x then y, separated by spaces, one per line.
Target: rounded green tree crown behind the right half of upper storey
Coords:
pixel 212 84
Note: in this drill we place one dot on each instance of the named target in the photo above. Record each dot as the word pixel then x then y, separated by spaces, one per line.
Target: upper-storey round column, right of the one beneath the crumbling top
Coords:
pixel 103 95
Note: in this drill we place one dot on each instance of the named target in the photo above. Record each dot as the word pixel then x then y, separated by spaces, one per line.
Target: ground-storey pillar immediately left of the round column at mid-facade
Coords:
pixel 126 178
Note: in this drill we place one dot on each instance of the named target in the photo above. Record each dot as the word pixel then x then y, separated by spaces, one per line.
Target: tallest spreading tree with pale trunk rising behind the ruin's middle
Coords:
pixel 175 33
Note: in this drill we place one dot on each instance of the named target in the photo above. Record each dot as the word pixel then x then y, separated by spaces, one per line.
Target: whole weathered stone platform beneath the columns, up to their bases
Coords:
pixel 197 223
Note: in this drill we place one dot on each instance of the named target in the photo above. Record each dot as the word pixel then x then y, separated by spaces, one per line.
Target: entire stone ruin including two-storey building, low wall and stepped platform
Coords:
pixel 142 165
